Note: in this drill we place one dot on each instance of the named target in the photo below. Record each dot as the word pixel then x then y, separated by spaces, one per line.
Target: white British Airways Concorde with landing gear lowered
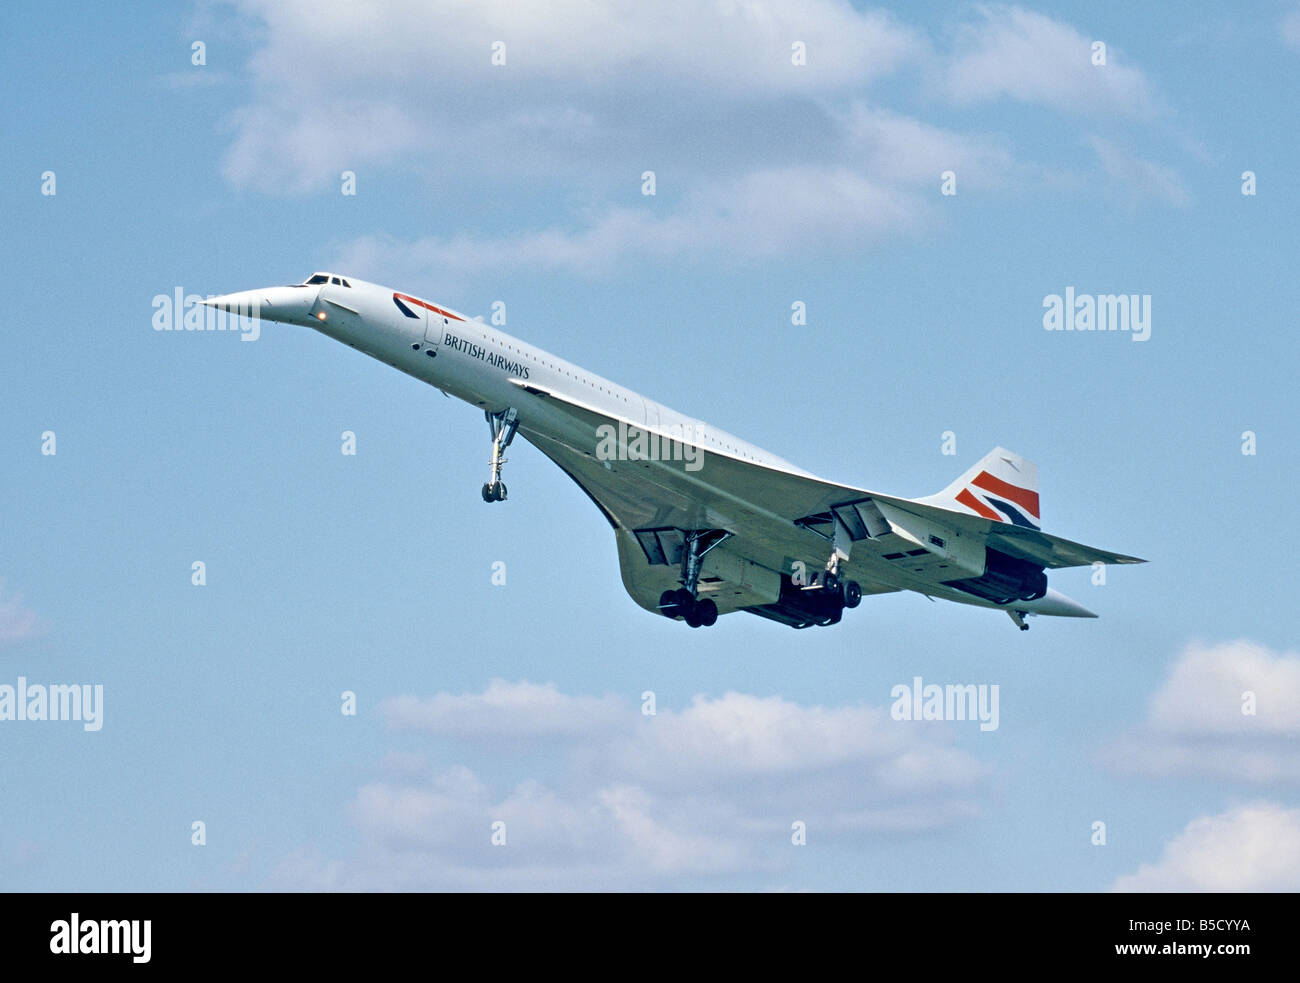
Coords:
pixel 707 523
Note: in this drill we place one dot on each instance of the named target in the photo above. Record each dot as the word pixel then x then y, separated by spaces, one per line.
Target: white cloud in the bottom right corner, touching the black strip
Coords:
pixel 1250 848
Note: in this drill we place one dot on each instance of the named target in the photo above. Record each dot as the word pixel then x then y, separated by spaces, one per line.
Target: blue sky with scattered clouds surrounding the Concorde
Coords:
pixel 522 184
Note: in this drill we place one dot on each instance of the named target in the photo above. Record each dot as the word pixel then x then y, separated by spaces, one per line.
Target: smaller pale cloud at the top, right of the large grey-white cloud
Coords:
pixel 1017 54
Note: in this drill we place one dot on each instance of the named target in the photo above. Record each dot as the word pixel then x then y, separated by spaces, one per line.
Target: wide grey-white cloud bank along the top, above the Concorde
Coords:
pixel 757 158
